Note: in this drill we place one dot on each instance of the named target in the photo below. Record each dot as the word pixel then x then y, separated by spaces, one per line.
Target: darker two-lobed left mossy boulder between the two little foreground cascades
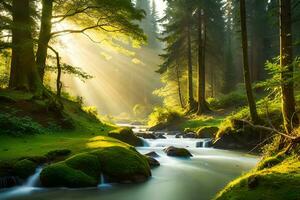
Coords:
pixel 81 170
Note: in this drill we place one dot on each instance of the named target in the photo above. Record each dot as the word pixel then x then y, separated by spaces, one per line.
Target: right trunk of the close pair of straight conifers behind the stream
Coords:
pixel 202 107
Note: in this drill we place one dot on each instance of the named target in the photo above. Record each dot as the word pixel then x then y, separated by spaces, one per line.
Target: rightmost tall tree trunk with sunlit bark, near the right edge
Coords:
pixel 286 59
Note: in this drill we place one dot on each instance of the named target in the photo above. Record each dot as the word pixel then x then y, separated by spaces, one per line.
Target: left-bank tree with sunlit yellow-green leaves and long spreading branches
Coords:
pixel 103 16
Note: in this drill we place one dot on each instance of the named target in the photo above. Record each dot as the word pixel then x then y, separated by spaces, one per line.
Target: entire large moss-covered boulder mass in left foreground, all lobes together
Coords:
pixel 117 164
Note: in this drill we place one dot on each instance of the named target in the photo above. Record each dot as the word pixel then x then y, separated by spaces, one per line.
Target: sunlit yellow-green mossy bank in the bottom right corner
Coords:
pixel 281 181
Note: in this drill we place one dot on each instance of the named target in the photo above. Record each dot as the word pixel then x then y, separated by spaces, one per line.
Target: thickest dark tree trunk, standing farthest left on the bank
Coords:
pixel 24 73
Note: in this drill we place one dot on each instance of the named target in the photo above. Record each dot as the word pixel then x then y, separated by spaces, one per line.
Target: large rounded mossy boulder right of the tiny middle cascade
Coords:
pixel 123 165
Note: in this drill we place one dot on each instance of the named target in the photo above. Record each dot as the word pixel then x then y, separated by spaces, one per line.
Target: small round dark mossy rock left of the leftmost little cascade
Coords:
pixel 24 168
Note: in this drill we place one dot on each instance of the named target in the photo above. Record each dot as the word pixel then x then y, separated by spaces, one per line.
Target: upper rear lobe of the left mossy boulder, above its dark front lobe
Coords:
pixel 87 163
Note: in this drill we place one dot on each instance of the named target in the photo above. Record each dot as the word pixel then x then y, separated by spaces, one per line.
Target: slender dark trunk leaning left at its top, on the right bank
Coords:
pixel 247 79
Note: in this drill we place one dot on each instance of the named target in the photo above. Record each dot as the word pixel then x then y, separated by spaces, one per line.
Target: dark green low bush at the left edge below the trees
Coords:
pixel 13 125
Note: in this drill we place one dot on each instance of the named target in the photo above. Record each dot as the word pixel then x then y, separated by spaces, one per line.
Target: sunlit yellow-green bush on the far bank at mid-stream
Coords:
pixel 164 115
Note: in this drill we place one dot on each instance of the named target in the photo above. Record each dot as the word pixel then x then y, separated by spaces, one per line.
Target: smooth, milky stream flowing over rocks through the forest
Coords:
pixel 196 178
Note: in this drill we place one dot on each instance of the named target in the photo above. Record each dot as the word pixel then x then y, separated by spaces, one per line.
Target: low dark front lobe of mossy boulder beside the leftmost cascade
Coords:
pixel 61 175
